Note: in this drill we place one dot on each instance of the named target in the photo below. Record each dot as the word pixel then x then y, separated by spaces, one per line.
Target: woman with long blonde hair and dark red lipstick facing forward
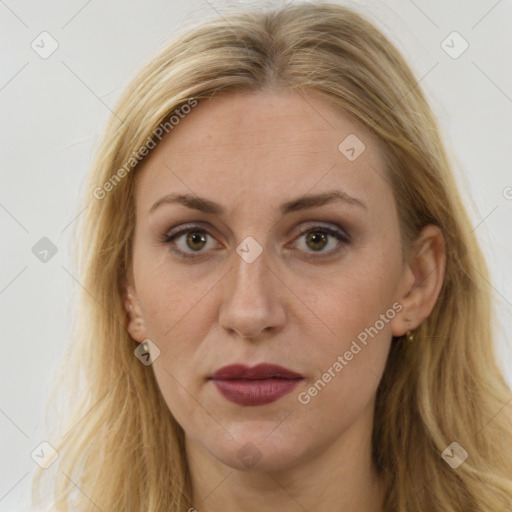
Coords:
pixel 284 306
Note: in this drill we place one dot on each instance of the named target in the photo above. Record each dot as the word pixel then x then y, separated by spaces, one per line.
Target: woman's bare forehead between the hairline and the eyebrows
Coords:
pixel 263 146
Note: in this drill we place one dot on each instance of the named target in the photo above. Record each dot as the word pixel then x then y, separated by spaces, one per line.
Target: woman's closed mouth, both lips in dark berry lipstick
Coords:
pixel 259 385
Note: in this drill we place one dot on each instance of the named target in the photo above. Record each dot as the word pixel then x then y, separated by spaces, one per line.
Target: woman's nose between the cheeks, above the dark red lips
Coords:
pixel 252 302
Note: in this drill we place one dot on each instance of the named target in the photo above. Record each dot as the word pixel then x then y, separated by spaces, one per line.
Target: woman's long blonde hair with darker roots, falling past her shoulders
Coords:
pixel 121 448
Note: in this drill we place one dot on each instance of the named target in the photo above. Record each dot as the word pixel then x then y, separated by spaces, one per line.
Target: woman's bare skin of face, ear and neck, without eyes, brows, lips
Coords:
pixel 250 152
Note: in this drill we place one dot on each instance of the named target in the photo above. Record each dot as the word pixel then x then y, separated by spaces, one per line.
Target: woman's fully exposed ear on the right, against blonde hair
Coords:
pixel 422 280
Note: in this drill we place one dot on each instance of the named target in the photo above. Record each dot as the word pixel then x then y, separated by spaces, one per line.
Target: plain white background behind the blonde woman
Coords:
pixel 53 110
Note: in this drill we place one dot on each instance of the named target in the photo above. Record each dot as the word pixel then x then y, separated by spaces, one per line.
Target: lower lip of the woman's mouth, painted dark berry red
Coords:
pixel 255 392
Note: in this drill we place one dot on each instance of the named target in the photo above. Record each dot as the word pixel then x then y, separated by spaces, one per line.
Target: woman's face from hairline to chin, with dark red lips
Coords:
pixel 261 268
